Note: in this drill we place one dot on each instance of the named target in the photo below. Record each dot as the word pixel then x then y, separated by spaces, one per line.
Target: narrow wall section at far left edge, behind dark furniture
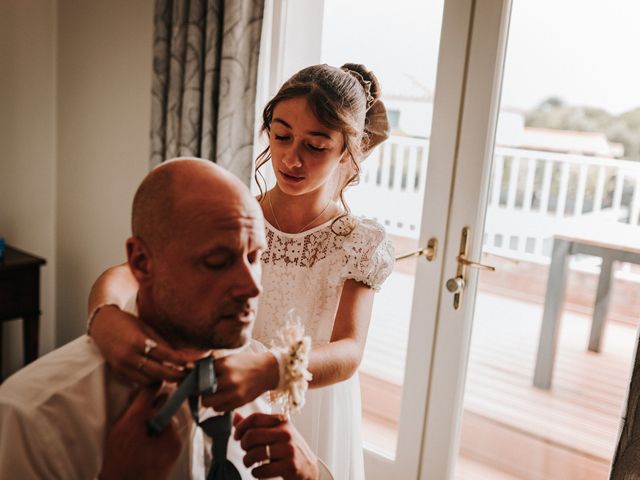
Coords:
pixel 27 152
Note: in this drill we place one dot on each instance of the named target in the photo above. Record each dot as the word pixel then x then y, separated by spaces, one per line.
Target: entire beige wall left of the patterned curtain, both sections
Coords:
pixel 75 82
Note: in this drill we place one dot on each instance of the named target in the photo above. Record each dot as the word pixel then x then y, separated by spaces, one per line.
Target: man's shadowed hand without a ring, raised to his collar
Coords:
pixel 131 453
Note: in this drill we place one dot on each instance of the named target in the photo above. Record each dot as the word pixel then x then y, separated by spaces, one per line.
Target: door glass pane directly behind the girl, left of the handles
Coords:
pixel 401 48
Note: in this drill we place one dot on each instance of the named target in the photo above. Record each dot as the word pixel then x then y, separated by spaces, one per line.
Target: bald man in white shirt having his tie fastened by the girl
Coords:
pixel 197 238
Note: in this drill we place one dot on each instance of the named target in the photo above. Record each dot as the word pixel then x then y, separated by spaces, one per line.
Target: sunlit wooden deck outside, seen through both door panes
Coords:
pixel 511 429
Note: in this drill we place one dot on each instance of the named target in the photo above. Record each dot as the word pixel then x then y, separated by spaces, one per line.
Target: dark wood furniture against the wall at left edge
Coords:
pixel 20 297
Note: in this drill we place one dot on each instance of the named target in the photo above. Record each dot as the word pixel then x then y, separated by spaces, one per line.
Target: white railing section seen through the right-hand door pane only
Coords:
pixel 533 192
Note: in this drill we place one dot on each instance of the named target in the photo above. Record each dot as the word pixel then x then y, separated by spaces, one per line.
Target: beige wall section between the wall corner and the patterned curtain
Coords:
pixel 104 107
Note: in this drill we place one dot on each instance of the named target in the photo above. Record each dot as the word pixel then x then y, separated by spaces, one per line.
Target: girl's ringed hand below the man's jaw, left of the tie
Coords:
pixel 121 338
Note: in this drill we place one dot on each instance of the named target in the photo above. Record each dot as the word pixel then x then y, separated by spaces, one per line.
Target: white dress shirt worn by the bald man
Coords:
pixel 55 414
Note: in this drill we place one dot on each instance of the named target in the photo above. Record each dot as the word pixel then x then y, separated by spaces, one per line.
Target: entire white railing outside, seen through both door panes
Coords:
pixel 531 194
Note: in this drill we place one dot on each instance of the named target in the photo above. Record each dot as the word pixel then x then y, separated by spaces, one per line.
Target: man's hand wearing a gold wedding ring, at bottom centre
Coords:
pixel 290 456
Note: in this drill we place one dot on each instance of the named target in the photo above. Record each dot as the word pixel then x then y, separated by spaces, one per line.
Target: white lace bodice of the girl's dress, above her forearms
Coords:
pixel 306 272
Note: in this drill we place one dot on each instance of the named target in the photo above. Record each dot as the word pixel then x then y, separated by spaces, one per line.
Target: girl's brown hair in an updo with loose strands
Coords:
pixel 346 99
